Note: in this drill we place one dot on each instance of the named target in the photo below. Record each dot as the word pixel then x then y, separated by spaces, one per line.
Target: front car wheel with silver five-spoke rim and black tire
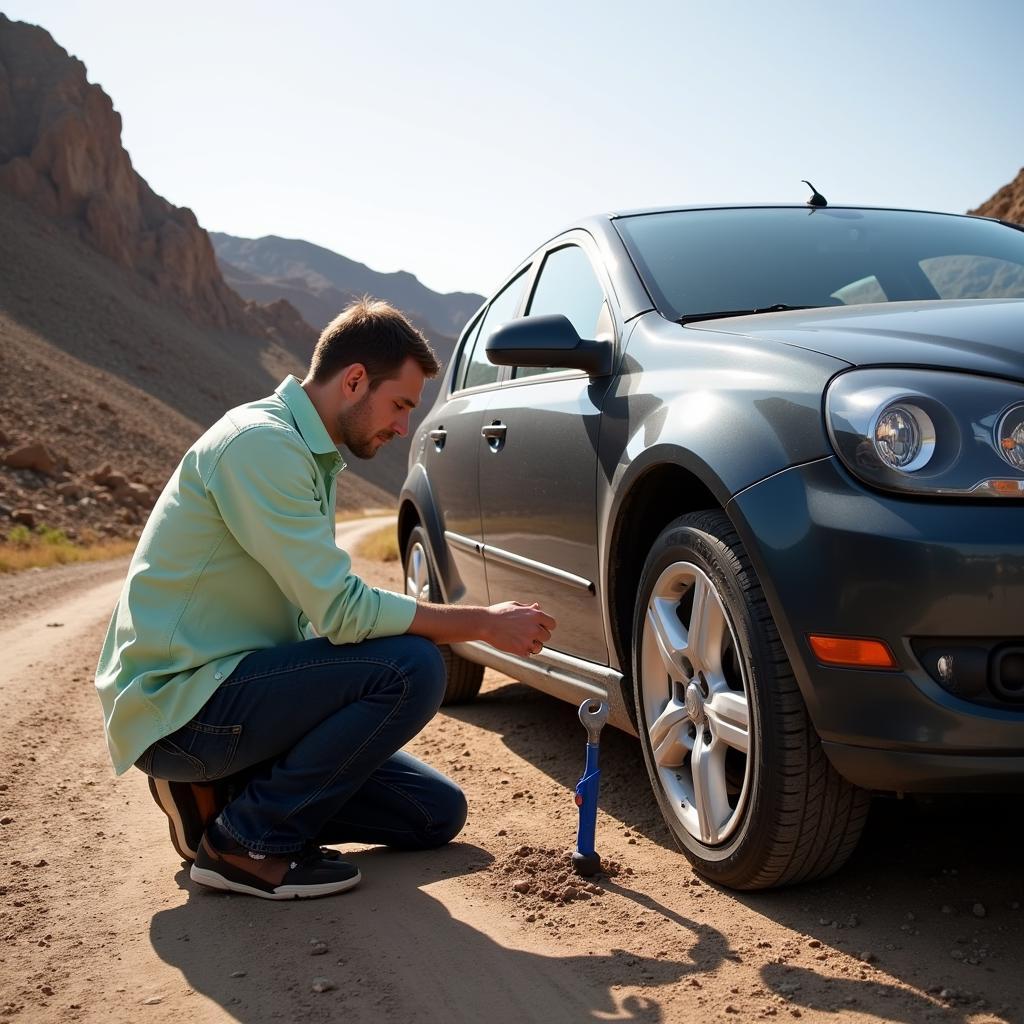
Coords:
pixel 739 772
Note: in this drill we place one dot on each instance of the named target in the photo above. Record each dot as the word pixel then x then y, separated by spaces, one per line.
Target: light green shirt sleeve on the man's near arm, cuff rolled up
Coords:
pixel 269 493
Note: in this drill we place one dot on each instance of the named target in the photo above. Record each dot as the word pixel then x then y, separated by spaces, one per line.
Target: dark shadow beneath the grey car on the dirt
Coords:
pixel 933 895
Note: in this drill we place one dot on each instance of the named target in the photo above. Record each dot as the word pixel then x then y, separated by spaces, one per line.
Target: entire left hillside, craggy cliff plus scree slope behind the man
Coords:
pixel 120 342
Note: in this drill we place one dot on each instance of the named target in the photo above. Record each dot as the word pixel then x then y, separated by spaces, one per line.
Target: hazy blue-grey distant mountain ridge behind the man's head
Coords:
pixel 321 283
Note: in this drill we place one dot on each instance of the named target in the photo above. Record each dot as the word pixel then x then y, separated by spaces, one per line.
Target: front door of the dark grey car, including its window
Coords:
pixel 539 466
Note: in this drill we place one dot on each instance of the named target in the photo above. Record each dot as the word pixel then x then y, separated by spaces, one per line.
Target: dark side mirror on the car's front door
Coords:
pixel 548 342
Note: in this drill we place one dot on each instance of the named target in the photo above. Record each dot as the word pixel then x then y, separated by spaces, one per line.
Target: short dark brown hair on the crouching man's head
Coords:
pixel 375 334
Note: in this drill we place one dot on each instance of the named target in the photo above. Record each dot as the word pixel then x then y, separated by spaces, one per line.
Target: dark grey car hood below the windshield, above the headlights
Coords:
pixel 979 335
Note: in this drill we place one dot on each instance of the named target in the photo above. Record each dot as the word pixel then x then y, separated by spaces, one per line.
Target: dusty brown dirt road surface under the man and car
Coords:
pixel 100 922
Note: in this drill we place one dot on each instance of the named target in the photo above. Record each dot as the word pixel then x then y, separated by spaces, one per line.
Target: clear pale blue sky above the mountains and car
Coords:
pixel 451 139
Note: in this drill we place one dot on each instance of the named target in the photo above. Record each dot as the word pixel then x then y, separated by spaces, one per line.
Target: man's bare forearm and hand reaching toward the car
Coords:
pixel 511 626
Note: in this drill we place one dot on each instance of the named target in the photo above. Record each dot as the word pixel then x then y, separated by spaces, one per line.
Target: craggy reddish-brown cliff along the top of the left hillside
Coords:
pixel 61 152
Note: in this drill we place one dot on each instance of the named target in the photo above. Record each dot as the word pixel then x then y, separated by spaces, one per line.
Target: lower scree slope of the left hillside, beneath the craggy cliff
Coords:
pixel 102 390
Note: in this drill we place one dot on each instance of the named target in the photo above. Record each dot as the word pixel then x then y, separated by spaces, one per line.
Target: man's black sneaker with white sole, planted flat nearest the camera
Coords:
pixel 223 864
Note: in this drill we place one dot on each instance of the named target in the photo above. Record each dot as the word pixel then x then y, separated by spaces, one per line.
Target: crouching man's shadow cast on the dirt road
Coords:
pixel 397 952
